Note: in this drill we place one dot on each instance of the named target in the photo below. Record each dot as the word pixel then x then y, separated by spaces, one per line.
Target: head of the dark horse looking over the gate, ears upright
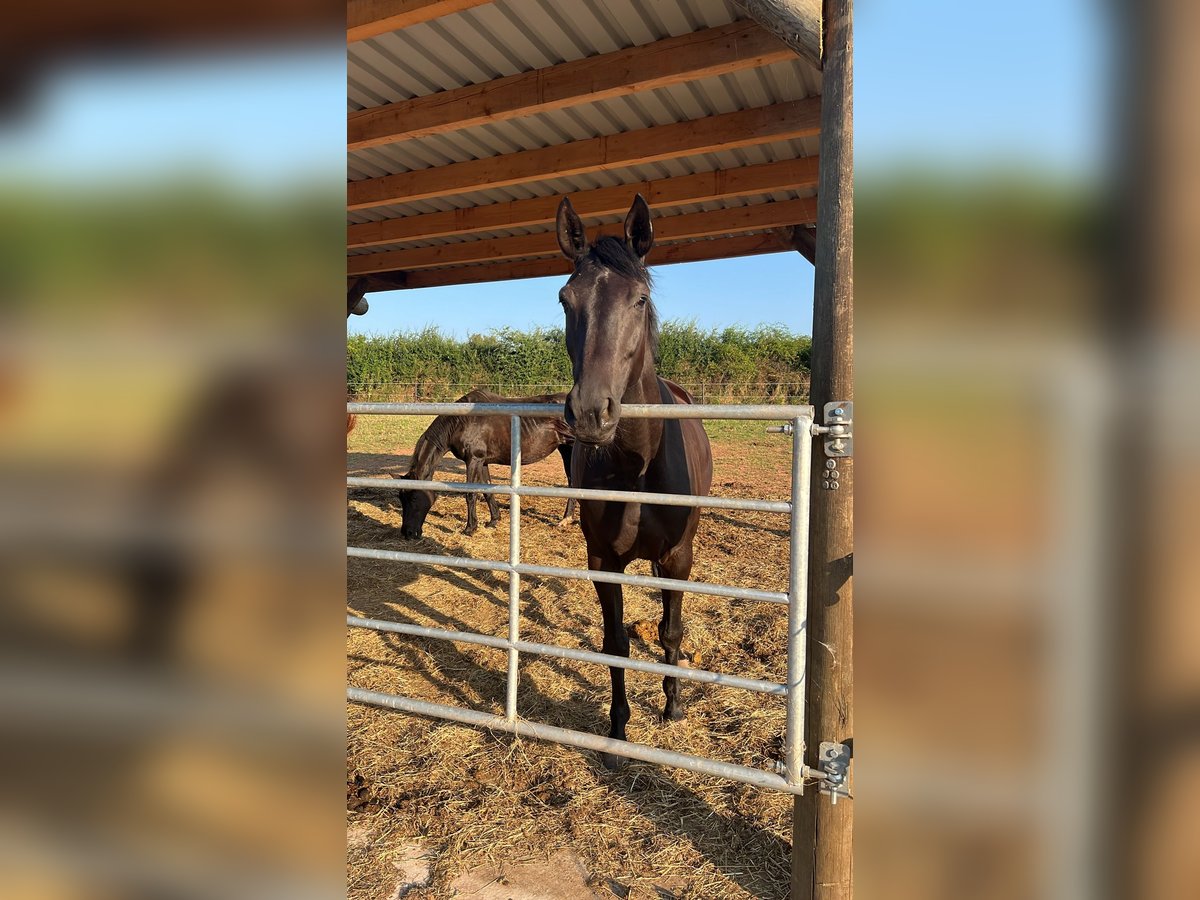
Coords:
pixel 611 326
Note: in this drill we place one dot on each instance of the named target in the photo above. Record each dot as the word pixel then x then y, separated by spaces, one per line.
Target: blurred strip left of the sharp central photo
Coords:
pixel 172 207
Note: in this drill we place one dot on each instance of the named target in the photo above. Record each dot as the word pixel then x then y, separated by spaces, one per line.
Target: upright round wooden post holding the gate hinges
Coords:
pixel 821 832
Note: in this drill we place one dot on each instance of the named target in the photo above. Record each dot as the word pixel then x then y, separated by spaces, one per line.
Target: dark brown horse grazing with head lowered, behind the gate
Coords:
pixel 479 441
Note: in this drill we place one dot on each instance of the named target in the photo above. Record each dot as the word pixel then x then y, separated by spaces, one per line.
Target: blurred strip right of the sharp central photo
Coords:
pixel 1027 685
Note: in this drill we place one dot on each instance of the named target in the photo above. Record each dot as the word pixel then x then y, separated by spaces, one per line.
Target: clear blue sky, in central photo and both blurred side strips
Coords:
pixel 958 87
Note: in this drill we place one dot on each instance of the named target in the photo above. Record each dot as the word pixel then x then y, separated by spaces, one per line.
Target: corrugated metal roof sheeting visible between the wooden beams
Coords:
pixel 512 37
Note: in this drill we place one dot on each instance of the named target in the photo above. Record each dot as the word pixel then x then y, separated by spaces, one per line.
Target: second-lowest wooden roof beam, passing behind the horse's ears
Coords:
pixel 544 244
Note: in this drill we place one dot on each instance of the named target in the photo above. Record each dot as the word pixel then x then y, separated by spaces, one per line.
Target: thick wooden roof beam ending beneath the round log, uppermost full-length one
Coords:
pixel 700 55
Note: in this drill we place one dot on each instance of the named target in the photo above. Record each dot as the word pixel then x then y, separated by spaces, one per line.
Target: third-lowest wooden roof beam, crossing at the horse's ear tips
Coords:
pixel 765 178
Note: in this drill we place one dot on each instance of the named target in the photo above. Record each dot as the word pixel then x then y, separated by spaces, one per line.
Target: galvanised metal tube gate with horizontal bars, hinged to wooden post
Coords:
pixel 793 772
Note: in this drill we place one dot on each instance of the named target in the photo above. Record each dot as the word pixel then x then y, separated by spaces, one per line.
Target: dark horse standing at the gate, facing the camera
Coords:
pixel 613 339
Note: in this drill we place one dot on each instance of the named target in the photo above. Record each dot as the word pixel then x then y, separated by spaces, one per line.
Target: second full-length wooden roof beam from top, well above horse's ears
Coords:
pixel 746 128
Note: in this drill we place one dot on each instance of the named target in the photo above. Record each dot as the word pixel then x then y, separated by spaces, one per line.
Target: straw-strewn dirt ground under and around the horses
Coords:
pixel 479 809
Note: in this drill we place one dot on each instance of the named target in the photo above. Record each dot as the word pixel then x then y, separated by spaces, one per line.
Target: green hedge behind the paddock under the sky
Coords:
pixel 764 363
